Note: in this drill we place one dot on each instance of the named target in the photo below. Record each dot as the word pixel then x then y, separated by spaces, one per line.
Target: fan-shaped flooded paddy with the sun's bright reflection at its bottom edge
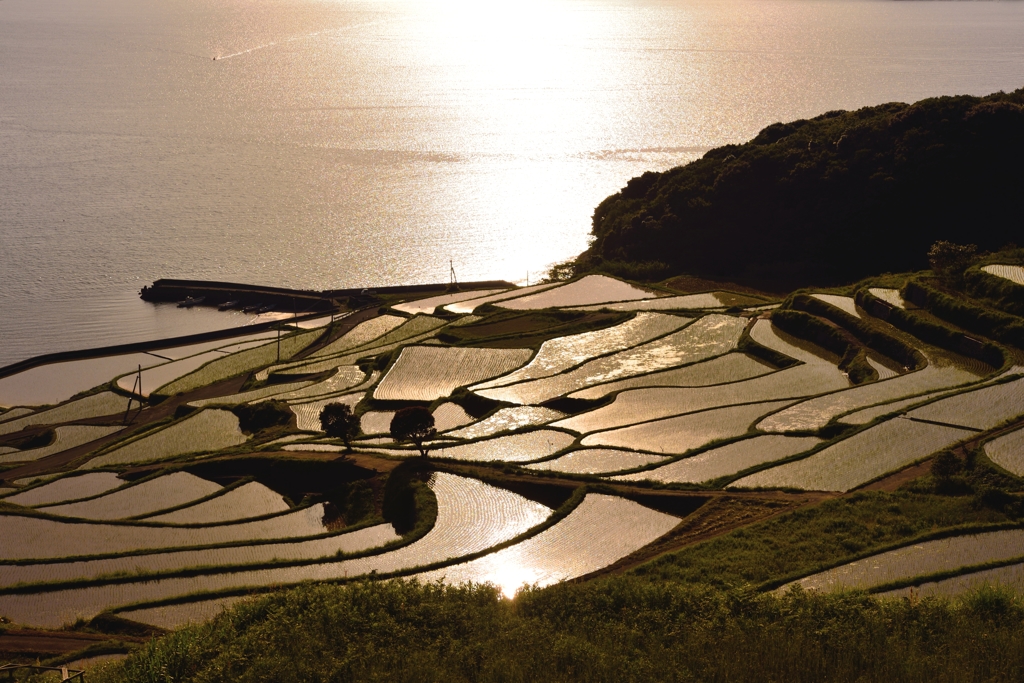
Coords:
pixel 602 531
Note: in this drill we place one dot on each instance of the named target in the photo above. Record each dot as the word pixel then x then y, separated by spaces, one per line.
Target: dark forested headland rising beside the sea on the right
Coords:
pixel 827 201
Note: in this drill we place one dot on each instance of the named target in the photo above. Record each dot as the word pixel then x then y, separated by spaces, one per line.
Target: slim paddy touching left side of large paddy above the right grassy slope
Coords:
pixel 727 460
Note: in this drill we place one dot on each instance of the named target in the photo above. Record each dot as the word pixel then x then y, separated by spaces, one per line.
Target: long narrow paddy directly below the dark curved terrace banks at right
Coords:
pixel 817 413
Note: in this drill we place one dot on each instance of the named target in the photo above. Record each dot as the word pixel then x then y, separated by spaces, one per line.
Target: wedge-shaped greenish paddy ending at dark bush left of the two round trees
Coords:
pixel 206 431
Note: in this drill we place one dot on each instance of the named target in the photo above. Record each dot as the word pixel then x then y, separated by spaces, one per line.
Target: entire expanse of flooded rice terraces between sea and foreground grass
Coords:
pixel 538 403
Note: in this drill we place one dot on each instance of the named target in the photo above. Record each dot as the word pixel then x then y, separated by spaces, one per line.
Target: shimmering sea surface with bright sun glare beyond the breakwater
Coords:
pixel 324 144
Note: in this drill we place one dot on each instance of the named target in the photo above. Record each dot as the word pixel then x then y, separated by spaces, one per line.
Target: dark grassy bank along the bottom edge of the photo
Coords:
pixel 625 629
